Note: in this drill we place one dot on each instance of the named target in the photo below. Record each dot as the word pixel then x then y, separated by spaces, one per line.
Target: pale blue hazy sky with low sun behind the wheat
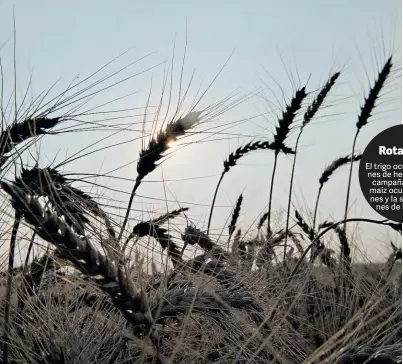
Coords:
pixel 273 48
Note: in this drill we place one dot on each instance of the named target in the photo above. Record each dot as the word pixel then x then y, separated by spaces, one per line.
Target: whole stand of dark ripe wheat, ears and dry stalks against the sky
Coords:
pixel 278 297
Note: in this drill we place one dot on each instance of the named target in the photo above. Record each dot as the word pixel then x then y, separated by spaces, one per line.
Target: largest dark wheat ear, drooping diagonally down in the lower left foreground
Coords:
pixel 84 257
